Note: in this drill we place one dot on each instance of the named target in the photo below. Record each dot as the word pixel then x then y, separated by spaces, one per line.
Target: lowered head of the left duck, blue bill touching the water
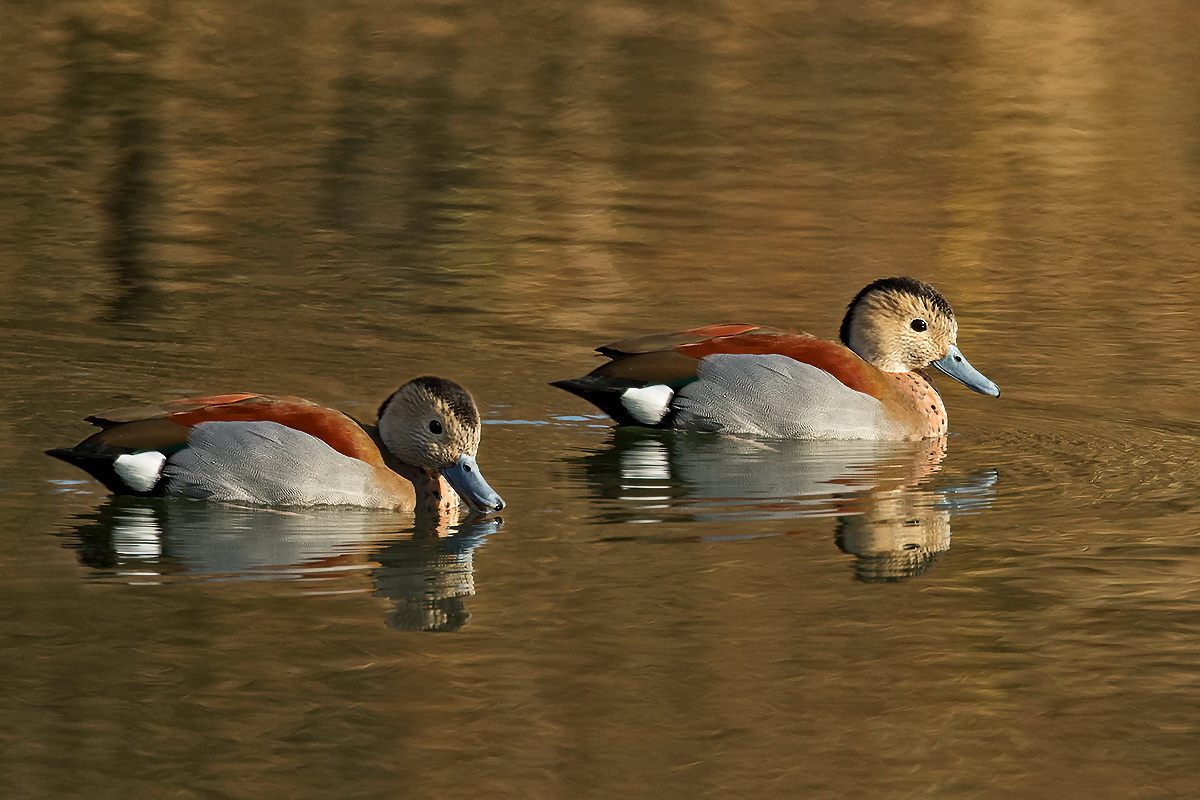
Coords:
pixel 433 424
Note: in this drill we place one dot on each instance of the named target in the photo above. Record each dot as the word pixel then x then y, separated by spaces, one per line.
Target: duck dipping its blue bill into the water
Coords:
pixel 279 450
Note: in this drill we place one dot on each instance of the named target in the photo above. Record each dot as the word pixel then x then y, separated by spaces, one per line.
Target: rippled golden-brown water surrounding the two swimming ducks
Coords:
pixel 328 199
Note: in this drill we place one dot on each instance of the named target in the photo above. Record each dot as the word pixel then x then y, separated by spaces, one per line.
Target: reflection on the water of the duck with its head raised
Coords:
pixel 891 502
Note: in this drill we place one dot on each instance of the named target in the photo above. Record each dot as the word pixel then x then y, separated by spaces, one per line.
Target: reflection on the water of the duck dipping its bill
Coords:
pixel 427 573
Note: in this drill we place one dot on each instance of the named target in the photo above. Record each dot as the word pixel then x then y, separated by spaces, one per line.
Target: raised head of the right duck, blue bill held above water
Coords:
pixel 905 326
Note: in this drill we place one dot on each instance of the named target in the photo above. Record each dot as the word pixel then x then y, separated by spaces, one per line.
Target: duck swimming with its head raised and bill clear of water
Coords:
pixel 745 380
